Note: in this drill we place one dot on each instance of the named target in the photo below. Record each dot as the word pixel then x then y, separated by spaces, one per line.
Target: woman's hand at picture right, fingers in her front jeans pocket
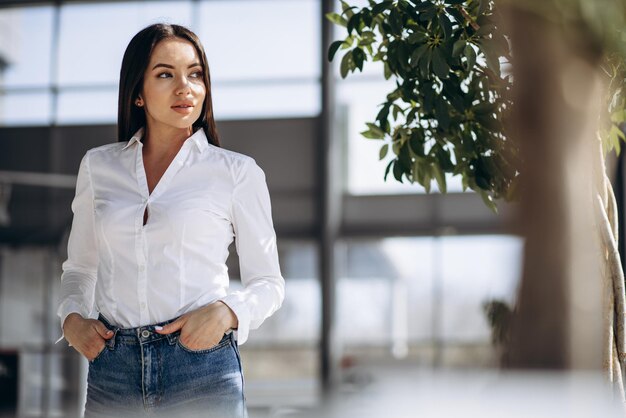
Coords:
pixel 204 327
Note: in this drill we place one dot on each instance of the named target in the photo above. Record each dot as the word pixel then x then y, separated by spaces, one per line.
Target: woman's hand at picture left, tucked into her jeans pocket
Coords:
pixel 87 336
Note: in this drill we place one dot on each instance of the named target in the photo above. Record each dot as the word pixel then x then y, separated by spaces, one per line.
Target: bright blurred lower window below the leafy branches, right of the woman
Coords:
pixel 422 298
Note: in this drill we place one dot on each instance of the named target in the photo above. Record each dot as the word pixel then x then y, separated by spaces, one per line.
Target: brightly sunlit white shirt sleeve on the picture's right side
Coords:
pixel 255 240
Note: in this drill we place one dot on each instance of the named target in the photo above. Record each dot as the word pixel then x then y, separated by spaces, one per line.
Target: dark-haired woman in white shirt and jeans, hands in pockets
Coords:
pixel 154 215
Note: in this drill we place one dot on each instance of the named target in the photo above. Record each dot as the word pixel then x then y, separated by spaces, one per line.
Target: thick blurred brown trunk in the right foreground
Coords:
pixel 557 96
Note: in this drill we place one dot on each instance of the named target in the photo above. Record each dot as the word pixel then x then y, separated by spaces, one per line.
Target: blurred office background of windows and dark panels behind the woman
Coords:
pixel 379 274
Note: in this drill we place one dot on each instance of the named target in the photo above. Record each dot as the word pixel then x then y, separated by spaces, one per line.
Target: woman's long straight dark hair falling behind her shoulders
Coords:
pixel 136 59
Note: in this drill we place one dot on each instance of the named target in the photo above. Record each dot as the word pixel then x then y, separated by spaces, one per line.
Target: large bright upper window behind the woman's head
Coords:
pixel 263 57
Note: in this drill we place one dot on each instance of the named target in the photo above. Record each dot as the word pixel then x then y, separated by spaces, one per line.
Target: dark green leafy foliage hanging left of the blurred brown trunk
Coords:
pixel 447 111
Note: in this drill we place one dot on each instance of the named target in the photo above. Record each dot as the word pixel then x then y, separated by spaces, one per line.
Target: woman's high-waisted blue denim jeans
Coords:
pixel 141 373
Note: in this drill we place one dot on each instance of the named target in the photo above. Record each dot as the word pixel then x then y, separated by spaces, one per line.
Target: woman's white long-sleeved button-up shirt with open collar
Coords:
pixel 137 274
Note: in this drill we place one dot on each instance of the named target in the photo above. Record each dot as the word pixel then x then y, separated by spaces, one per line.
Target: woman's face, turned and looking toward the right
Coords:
pixel 173 87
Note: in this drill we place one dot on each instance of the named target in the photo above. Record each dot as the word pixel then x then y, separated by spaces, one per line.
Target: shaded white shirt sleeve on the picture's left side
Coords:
pixel 78 279
